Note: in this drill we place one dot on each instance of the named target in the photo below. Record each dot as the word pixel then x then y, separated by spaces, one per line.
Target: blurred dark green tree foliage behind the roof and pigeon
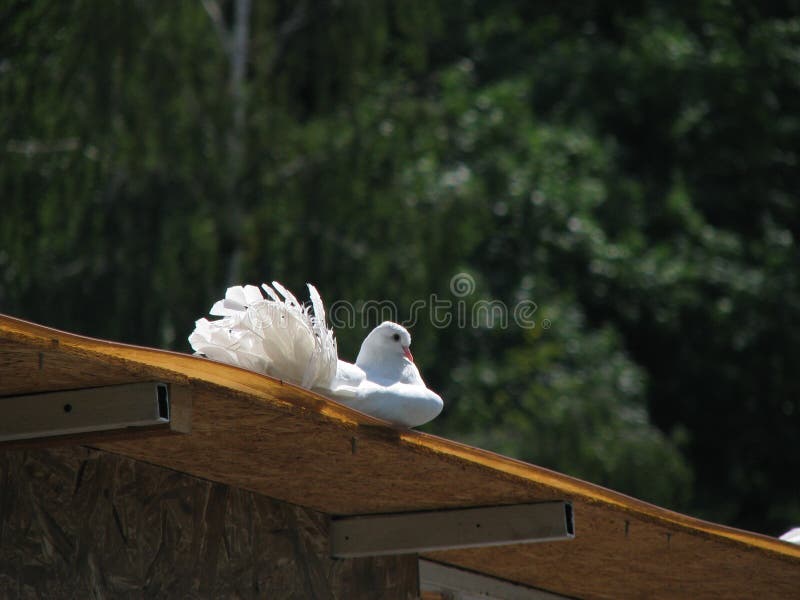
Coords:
pixel 630 169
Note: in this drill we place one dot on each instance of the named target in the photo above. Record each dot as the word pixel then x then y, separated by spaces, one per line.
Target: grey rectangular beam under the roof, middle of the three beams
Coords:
pixel 404 533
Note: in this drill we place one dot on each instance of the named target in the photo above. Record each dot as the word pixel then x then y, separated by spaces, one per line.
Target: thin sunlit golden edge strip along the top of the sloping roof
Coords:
pixel 185 367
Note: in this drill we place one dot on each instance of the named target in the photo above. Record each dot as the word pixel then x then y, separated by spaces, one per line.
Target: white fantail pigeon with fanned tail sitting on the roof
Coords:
pixel 278 336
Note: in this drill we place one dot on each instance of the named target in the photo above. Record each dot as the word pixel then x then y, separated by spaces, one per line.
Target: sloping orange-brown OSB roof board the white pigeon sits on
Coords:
pixel 260 434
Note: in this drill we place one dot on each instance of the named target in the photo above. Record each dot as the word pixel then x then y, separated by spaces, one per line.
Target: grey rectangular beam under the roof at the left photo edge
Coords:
pixel 78 411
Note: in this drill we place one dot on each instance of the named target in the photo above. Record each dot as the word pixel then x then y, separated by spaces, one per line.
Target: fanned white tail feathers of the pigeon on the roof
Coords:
pixel 273 335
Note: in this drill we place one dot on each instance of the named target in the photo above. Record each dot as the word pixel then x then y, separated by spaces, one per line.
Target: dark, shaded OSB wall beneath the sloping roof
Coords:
pixel 80 523
